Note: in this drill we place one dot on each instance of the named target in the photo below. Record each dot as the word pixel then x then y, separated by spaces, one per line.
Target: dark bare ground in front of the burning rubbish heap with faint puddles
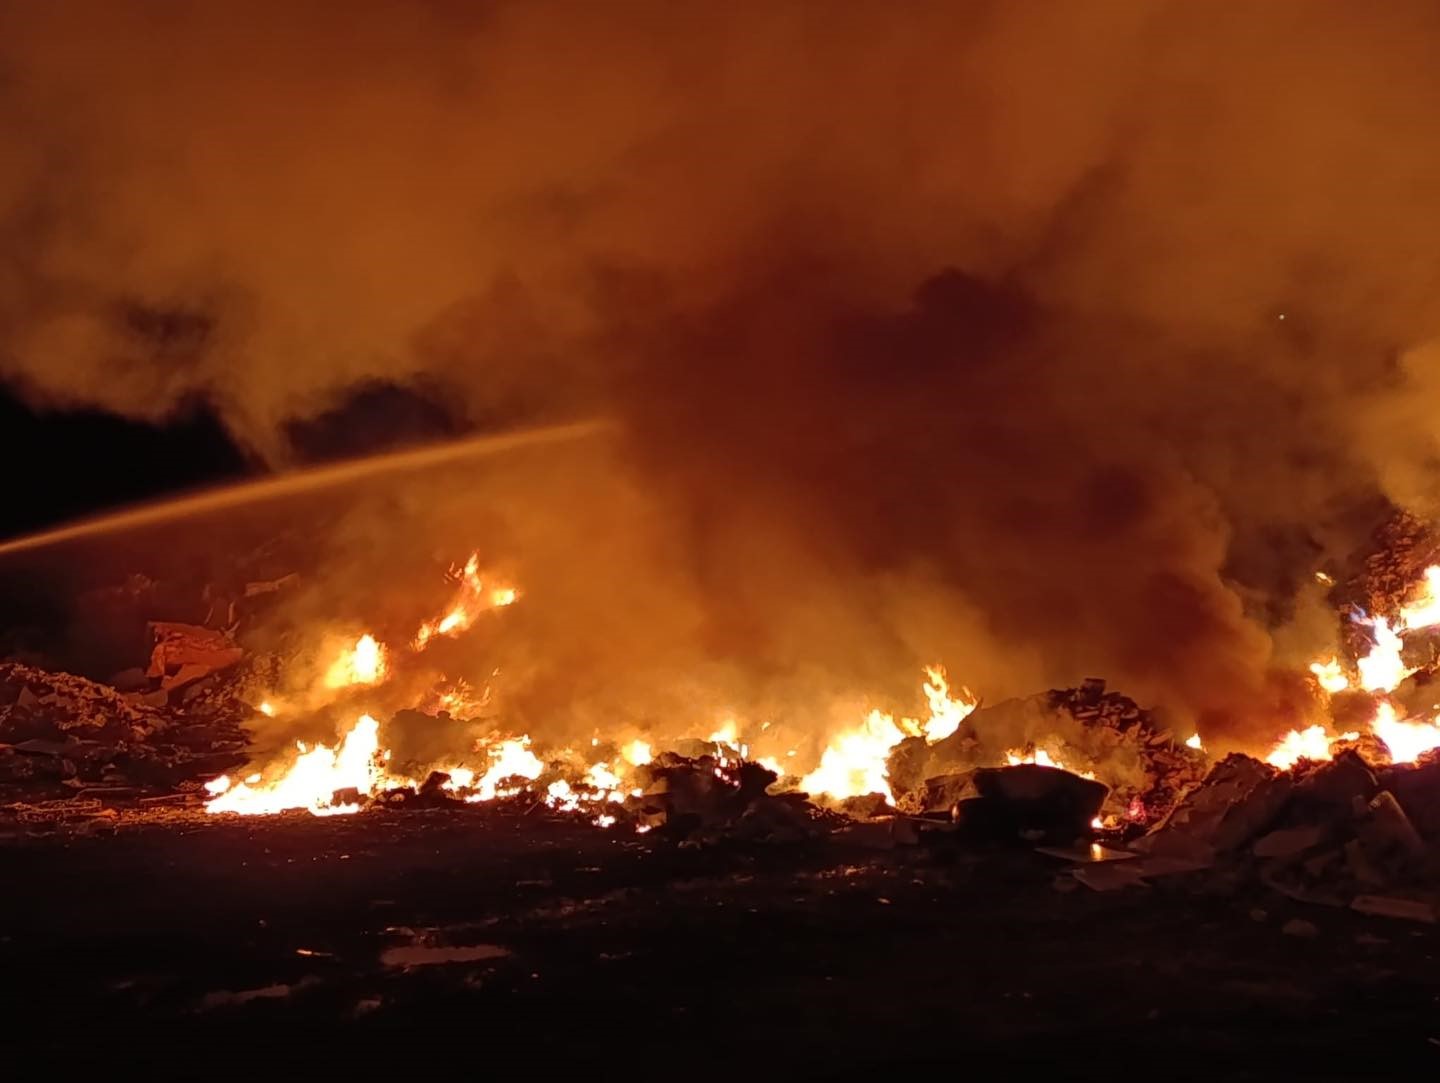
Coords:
pixel 197 943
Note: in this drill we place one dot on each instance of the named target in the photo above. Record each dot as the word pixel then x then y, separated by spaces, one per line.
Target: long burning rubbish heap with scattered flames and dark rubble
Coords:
pixel 1344 809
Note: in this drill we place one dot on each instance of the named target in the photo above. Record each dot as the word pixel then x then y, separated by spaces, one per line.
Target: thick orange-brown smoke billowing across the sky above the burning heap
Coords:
pixel 1045 339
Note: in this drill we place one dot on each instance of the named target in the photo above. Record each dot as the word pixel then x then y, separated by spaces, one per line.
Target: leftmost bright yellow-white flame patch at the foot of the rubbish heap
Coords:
pixel 313 780
